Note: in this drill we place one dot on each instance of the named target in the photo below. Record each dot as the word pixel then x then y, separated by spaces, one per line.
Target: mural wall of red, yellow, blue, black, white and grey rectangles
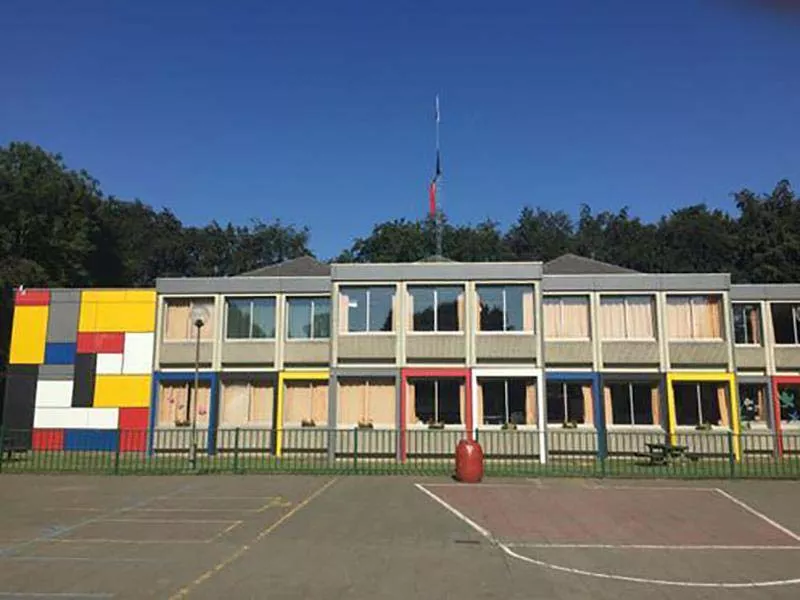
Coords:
pixel 80 368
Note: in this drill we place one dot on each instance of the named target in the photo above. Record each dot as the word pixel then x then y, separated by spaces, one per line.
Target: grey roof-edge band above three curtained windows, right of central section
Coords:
pixel 670 282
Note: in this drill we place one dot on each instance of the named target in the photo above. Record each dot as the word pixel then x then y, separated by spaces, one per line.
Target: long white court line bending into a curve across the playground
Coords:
pixel 609 576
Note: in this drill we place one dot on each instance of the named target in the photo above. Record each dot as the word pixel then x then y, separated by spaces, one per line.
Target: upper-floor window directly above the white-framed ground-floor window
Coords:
pixel 505 307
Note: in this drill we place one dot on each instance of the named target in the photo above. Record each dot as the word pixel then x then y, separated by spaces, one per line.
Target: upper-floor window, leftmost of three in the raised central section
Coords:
pixel 364 309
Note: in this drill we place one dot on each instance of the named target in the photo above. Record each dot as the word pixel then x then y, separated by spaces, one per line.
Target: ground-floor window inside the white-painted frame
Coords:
pixel 507 401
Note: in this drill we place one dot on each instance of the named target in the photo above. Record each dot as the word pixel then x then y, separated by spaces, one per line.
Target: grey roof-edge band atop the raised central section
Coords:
pixel 438 272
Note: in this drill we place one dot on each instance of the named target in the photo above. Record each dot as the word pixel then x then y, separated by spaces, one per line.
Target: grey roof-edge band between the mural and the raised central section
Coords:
pixel 244 285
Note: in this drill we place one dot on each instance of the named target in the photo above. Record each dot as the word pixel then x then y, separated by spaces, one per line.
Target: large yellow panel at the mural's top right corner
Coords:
pixel 131 311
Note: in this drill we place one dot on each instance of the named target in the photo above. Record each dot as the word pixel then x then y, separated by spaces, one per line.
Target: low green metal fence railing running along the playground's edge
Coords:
pixel 528 452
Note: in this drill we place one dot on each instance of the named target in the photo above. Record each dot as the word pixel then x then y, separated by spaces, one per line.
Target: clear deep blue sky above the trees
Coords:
pixel 320 113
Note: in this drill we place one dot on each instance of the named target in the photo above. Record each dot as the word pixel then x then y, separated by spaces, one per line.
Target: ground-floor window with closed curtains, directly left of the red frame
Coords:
pixel 370 401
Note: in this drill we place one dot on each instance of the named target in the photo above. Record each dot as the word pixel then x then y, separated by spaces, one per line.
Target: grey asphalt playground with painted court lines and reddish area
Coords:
pixel 97 537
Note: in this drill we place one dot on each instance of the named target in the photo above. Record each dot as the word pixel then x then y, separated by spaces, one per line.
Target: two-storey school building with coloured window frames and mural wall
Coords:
pixel 465 349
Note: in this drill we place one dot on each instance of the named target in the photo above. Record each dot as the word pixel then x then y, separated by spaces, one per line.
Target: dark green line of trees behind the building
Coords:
pixel 59 229
